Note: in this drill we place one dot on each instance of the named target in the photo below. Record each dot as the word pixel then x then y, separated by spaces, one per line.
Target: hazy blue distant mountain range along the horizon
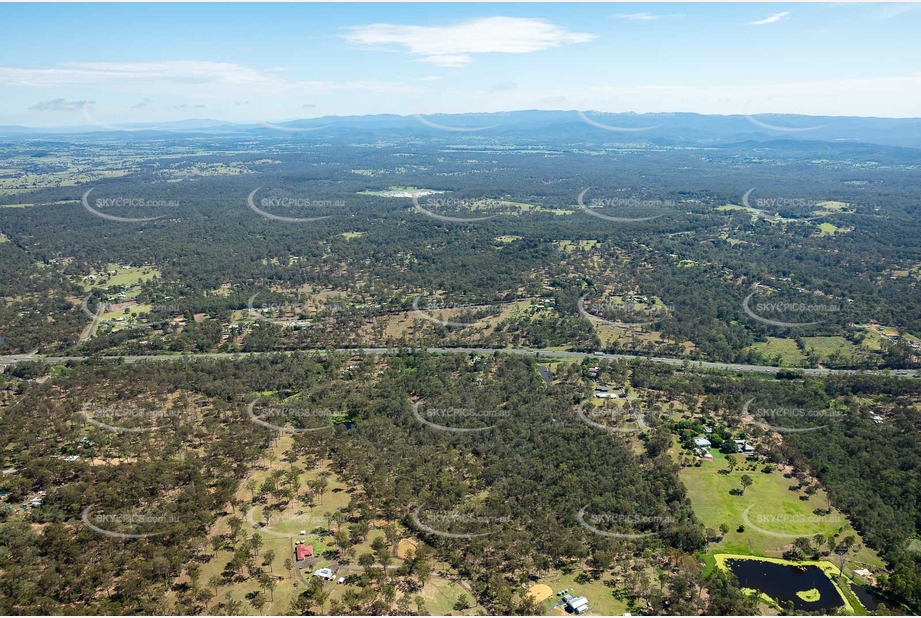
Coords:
pixel 550 126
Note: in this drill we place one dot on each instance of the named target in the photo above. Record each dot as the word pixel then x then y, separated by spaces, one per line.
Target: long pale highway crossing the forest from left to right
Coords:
pixel 542 354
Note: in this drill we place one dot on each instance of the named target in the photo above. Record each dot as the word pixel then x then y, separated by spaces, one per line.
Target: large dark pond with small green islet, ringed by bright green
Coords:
pixel 781 582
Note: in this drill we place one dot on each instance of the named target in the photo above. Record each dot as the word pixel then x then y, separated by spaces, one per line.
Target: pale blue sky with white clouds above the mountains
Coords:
pixel 110 64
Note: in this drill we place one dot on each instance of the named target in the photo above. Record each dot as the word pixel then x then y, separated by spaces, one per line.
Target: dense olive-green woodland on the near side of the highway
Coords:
pixel 533 470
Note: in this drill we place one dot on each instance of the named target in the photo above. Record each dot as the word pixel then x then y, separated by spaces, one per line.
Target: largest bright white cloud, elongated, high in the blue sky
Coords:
pixel 452 45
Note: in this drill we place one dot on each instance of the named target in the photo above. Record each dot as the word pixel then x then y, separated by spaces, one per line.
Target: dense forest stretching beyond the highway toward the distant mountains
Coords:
pixel 212 253
